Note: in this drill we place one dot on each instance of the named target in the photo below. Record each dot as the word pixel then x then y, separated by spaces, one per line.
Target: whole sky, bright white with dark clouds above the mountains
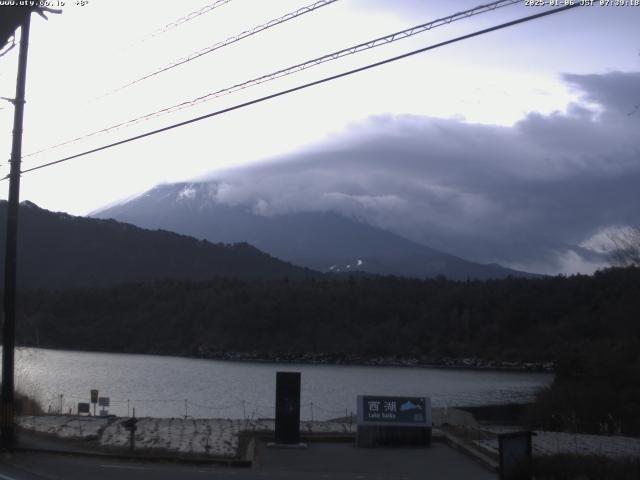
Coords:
pixel 518 147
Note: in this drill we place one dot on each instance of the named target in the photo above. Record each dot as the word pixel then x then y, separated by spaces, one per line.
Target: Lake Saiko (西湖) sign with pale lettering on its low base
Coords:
pixel 397 420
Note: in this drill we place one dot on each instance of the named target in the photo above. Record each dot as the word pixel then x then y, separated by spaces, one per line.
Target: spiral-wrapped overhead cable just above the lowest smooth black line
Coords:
pixel 294 69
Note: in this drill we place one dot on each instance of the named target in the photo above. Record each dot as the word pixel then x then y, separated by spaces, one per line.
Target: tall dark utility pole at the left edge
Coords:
pixel 8 328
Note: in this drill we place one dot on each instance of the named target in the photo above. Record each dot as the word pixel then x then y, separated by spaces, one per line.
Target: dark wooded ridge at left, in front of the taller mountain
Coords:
pixel 57 250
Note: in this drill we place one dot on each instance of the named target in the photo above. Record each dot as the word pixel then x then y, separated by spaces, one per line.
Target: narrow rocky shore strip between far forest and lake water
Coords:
pixel 383 361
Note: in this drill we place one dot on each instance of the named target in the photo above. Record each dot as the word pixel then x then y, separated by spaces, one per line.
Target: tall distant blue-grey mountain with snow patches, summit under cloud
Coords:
pixel 325 241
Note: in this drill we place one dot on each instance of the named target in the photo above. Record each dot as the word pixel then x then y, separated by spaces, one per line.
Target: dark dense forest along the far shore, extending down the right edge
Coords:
pixel 588 325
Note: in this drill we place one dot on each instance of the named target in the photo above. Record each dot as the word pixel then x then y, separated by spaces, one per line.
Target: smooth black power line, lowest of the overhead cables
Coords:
pixel 307 85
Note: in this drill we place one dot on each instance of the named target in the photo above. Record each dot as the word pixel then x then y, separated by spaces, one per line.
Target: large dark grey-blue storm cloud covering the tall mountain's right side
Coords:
pixel 526 195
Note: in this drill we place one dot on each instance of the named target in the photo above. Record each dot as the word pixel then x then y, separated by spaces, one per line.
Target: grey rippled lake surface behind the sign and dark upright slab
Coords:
pixel 158 386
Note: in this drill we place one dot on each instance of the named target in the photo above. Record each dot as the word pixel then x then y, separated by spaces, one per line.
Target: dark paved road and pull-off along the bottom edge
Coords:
pixel 321 461
